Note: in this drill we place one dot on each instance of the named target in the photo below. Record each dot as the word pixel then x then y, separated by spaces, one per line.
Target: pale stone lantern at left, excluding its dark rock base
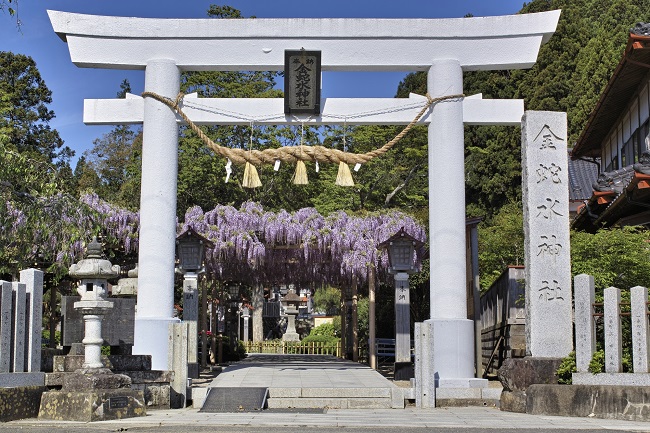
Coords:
pixel 94 272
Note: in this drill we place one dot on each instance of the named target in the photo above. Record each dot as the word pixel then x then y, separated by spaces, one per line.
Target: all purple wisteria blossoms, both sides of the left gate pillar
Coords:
pixel 251 244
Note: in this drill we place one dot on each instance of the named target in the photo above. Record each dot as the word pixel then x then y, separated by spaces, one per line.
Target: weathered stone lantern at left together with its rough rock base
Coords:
pixel 93 392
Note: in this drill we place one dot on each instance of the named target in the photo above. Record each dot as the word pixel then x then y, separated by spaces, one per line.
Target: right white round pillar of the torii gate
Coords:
pixel 453 354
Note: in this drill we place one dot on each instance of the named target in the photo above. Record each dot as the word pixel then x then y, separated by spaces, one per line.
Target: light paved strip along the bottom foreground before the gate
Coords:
pixel 465 418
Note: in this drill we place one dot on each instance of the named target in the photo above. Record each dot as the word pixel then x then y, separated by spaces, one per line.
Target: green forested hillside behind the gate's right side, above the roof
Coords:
pixel 571 72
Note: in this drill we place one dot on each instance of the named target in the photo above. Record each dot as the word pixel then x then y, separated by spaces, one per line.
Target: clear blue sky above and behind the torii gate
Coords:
pixel 71 85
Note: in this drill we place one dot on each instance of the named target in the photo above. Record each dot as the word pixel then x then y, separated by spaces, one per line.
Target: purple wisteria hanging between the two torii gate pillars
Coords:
pixel 253 245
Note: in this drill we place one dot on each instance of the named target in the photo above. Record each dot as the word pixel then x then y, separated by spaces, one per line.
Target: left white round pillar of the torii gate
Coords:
pixel 157 215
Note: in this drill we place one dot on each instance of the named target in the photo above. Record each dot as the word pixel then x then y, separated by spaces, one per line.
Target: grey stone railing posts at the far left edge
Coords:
pixel 21 312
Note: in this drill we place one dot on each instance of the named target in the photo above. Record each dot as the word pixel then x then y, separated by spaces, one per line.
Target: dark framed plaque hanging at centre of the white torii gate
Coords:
pixel 302 81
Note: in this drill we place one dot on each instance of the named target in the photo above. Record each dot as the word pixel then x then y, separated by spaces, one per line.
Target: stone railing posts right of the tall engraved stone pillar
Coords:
pixel 585 327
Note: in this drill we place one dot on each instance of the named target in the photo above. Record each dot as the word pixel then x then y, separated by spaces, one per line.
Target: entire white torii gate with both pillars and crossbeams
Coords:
pixel 443 47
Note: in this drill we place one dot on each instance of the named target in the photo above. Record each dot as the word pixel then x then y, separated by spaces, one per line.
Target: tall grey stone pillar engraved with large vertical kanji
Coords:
pixel 549 331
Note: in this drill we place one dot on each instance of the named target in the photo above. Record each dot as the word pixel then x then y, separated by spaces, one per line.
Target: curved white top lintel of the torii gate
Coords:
pixel 482 43
